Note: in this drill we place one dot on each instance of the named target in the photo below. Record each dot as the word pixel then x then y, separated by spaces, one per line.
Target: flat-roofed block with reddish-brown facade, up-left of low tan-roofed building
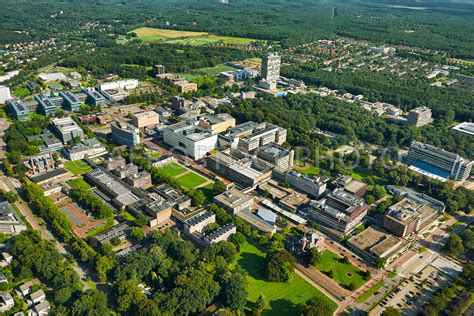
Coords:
pixel 339 211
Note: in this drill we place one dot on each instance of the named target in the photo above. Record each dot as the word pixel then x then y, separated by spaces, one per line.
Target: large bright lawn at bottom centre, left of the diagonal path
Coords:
pixel 281 298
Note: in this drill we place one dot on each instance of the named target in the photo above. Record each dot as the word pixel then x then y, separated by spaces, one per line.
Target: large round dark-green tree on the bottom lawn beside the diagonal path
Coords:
pixel 279 266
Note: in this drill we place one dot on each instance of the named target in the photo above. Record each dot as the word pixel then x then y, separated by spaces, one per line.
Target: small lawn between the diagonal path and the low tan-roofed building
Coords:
pixel 342 273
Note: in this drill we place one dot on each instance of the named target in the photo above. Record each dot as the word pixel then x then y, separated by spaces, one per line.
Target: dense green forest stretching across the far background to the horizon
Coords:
pixel 447 27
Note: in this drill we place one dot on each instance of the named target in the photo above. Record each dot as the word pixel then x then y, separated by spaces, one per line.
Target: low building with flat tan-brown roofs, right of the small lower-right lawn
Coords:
pixel 375 244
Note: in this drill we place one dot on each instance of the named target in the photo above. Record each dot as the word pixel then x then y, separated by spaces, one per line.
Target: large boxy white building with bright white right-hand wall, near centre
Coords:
pixel 190 139
